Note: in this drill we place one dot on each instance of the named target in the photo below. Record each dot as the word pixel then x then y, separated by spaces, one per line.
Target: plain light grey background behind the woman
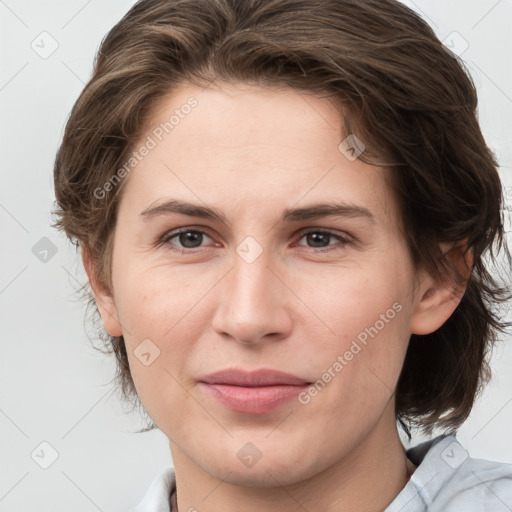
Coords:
pixel 54 387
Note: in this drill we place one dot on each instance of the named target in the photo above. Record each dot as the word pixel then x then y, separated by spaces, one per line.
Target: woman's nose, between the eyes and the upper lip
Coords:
pixel 254 304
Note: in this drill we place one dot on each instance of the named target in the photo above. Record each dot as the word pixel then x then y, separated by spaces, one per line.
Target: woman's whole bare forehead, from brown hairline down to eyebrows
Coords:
pixel 234 143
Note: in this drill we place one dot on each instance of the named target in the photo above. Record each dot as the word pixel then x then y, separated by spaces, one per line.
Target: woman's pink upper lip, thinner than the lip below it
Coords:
pixel 261 377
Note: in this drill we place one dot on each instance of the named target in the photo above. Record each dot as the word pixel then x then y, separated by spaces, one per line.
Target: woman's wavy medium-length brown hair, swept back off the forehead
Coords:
pixel 403 93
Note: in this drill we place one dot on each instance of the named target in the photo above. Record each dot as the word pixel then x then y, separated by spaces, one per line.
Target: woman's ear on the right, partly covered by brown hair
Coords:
pixel 436 301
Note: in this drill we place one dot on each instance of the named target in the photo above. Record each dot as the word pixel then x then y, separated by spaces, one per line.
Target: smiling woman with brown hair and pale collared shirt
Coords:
pixel 288 215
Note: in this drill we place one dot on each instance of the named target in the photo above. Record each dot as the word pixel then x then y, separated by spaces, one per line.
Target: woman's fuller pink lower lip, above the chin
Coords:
pixel 253 400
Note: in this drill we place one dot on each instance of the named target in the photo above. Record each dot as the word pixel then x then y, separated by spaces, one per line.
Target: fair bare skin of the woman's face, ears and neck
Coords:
pixel 251 153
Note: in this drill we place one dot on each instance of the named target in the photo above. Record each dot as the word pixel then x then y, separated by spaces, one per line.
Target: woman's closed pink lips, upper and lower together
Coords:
pixel 254 392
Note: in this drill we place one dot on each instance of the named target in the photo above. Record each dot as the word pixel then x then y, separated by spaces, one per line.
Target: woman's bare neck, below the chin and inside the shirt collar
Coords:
pixel 367 478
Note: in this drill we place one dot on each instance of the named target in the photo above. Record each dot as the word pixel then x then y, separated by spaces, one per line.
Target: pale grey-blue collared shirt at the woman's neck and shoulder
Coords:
pixel 446 479
